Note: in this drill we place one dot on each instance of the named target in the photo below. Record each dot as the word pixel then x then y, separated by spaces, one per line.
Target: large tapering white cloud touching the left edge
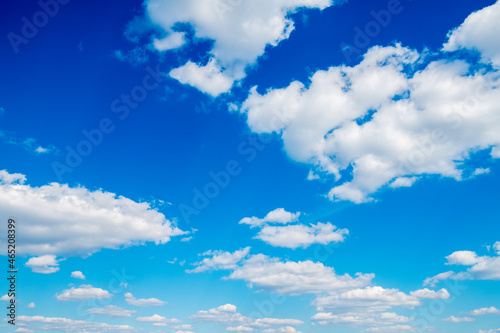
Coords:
pixel 58 219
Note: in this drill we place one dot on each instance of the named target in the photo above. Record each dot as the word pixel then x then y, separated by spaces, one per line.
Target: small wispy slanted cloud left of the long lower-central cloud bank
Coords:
pixel 220 260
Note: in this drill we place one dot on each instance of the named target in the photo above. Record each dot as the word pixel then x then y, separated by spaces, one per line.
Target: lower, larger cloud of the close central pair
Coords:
pixel 294 236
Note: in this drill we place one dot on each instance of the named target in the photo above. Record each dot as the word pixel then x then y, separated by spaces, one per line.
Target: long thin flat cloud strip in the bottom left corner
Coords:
pixel 70 325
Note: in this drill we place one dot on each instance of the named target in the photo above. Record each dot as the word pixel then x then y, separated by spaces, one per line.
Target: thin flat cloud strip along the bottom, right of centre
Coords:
pixel 359 319
